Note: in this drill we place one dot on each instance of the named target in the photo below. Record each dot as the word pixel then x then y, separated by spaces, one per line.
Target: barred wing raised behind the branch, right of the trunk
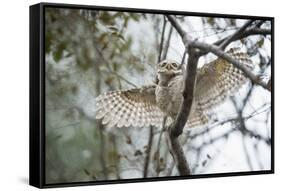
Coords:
pixel 219 79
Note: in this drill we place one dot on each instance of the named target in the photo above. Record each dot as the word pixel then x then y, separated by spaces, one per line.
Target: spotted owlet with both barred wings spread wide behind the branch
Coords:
pixel 149 105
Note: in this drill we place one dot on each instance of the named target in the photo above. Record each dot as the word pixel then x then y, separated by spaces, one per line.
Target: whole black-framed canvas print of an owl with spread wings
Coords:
pixel 123 95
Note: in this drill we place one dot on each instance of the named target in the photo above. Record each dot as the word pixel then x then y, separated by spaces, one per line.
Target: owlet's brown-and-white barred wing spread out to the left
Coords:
pixel 129 108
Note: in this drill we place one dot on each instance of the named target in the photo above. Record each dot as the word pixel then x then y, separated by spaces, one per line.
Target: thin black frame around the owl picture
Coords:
pixel 37 95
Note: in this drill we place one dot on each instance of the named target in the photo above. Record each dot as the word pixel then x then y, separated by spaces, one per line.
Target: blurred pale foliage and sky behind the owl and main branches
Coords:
pixel 89 52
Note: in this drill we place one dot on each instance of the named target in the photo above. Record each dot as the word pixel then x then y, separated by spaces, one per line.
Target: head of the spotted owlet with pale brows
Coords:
pixel 169 68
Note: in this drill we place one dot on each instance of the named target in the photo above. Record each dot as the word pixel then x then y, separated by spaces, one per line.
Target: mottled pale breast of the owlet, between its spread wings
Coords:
pixel 169 98
